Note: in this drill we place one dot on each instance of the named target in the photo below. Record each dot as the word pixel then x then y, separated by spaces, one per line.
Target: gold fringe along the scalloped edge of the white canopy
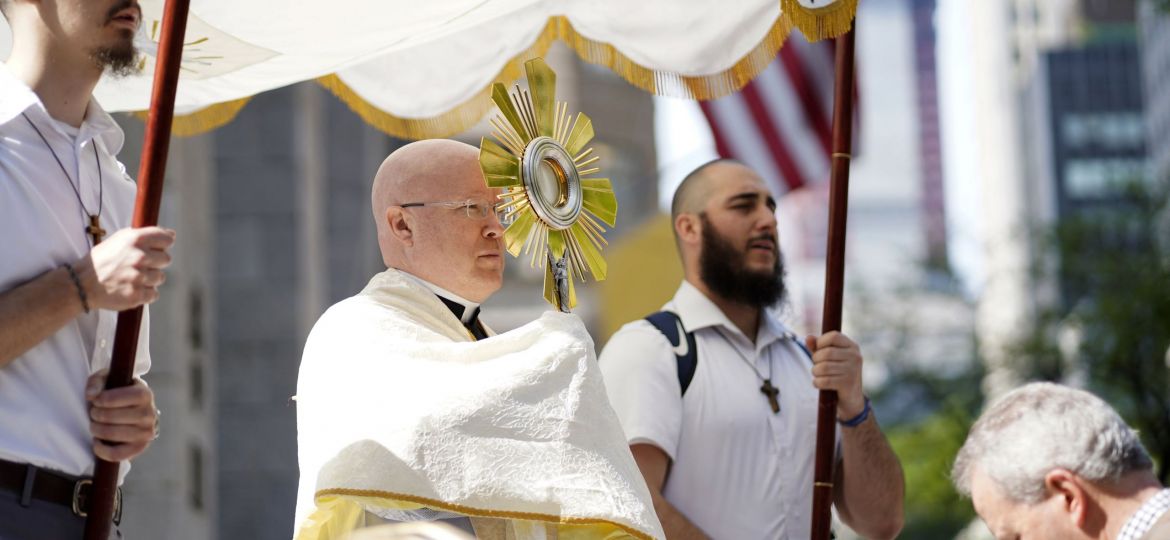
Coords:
pixel 816 24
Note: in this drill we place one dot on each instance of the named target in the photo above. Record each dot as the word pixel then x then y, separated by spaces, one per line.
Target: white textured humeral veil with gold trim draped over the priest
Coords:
pixel 400 410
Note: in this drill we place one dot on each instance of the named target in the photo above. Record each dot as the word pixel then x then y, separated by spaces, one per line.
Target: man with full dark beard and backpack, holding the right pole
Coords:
pixel 719 399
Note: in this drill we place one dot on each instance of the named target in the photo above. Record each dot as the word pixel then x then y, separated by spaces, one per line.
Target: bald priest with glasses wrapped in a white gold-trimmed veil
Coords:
pixel 409 409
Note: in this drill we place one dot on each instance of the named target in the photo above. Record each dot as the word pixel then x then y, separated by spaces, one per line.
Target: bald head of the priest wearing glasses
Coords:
pixel 446 245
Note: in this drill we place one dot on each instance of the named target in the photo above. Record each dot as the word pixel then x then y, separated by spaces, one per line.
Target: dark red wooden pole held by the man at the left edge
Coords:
pixel 152 171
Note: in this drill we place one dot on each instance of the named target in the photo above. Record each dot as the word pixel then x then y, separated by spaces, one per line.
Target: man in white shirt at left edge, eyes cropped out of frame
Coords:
pixel 60 289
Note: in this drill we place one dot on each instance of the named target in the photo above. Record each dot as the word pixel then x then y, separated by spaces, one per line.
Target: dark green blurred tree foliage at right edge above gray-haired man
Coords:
pixel 1112 329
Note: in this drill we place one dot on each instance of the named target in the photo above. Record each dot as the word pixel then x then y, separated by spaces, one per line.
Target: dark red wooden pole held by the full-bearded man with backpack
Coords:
pixel 835 280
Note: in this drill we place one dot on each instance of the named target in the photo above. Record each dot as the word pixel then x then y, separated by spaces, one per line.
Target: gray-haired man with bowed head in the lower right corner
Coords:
pixel 1048 461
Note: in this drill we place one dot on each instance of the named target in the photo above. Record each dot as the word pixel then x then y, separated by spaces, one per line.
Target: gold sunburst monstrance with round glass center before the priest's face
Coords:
pixel 540 160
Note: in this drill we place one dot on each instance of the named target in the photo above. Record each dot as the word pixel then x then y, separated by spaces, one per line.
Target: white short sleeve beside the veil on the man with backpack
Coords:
pixel 642 379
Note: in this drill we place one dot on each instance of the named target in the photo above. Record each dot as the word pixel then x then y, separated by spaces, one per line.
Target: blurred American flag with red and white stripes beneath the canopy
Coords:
pixel 781 123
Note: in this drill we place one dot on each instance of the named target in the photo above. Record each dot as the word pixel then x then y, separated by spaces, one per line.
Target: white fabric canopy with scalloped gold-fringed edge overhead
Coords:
pixel 424 68
